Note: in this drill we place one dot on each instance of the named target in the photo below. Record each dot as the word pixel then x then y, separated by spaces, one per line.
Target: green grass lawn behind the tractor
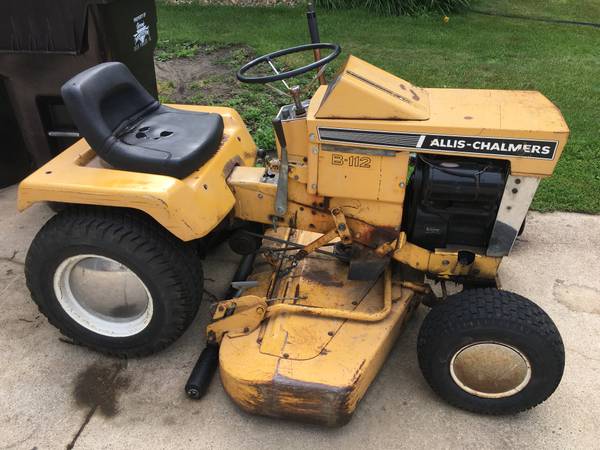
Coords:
pixel 472 50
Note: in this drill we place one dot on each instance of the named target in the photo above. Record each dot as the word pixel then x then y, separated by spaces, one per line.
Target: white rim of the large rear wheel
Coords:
pixel 103 295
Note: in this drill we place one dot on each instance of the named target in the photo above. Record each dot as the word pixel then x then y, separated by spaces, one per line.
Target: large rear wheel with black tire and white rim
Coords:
pixel 114 280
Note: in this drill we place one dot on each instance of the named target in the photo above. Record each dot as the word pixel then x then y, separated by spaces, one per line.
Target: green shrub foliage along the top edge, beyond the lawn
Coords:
pixel 397 7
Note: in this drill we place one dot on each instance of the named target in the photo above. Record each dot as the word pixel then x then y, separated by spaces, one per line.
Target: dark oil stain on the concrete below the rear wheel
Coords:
pixel 99 387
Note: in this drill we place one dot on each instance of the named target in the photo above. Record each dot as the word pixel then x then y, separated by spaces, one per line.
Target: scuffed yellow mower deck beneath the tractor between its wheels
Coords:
pixel 310 368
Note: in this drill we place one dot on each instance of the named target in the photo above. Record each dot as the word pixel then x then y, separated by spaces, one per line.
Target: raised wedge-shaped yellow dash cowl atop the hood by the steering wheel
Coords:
pixel 363 91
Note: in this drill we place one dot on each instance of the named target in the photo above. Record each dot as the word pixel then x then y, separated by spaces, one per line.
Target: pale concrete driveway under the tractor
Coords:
pixel 56 395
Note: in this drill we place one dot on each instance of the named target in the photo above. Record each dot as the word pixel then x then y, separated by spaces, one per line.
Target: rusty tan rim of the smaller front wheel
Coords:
pixel 490 369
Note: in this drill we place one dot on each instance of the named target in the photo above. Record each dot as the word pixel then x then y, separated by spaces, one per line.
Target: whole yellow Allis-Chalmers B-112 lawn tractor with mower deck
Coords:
pixel 377 189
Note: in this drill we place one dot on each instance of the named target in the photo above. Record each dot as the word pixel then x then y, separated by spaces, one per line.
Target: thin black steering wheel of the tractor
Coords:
pixel 269 58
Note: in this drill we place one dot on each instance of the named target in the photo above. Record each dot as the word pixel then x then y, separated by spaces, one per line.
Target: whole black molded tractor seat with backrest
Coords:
pixel 131 130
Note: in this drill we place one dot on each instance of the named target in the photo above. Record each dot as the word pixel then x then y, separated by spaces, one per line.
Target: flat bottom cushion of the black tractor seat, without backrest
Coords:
pixel 166 141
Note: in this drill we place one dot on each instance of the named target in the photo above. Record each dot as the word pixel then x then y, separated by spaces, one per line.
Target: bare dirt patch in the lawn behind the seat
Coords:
pixel 207 77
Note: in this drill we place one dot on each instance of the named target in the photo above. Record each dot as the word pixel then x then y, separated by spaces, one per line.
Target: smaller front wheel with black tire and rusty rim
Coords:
pixel 491 352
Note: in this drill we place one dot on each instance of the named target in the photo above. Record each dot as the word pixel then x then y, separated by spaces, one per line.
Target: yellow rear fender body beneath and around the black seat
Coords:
pixel 189 208
